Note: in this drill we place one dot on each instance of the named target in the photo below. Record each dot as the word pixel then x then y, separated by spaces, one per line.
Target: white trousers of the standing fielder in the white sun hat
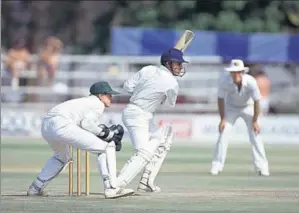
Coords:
pixel 258 151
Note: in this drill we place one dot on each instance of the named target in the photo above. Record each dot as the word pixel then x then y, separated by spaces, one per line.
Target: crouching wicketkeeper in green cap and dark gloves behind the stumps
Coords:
pixel 76 123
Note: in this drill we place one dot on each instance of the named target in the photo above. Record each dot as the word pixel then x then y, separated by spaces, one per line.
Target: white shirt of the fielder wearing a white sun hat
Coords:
pixel 238 99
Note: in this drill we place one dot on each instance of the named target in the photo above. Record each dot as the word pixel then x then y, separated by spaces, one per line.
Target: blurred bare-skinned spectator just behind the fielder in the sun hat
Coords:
pixel 264 85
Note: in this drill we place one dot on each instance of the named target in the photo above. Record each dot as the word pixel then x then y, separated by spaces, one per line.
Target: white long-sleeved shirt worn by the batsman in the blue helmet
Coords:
pixel 151 87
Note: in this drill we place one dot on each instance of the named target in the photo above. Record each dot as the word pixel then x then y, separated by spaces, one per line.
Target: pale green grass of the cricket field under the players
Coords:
pixel 186 184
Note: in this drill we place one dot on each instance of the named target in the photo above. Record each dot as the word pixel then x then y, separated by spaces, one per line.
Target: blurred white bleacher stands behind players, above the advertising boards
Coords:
pixel 198 87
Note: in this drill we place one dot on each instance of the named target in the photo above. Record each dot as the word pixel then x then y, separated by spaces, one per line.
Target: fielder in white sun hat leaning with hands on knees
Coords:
pixel 239 97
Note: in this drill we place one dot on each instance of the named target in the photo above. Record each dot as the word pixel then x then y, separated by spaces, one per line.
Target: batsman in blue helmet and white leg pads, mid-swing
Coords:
pixel 151 87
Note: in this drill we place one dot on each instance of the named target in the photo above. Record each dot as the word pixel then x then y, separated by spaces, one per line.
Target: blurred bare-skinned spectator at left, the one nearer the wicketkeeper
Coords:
pixel 47 62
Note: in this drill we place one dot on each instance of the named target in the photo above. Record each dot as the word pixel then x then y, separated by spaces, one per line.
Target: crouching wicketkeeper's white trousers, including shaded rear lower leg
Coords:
pixel 60 134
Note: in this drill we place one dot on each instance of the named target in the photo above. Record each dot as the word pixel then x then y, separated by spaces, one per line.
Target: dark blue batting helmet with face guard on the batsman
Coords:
pixel 173 55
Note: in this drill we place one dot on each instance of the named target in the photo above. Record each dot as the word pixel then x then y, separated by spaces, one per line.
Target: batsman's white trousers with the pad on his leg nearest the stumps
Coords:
pixel 145 138
